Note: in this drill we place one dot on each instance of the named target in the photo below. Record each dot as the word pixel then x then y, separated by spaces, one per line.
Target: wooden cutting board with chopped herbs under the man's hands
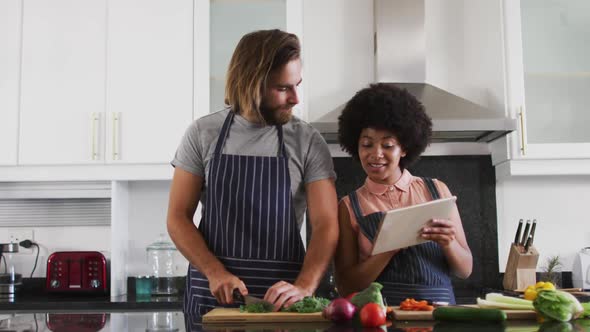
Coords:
pixel 233 315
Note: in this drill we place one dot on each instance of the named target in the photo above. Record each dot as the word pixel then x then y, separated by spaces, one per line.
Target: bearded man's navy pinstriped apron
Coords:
pixel 248 223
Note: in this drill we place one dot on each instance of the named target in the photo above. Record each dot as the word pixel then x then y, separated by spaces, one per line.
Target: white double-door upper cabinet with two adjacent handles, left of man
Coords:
pixel 105 84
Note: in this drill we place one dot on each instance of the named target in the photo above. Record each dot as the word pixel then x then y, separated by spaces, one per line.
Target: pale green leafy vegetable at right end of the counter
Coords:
pixel 558 305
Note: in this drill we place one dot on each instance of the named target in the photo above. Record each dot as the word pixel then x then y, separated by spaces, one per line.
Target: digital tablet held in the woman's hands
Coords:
pixel 400 228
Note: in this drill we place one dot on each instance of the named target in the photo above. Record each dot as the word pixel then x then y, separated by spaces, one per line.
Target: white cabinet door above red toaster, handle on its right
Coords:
pixel 62 98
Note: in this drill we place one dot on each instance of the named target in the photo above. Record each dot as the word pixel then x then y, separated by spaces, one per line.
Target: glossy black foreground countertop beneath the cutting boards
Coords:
pixel 174 321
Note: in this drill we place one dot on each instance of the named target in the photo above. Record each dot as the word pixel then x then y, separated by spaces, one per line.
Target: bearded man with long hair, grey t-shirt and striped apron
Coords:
pixel 255 168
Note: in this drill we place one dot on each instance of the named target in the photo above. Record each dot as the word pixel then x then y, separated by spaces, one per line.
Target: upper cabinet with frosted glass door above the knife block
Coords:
pixel 548 77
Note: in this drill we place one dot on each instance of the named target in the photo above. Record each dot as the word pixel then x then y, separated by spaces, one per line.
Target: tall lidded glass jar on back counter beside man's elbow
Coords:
pixel 161 257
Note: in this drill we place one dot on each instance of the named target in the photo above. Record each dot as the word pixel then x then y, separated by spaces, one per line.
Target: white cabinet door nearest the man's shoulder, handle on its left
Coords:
pixel 149 79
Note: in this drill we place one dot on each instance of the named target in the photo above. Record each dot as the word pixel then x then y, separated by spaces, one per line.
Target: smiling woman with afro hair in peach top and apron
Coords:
pixel 386 129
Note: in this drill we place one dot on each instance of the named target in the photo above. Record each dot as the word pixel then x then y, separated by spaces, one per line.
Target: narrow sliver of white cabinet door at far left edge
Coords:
pixel 10 37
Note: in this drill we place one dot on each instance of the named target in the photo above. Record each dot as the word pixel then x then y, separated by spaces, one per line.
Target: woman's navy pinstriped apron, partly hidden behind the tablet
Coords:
pixel 419 272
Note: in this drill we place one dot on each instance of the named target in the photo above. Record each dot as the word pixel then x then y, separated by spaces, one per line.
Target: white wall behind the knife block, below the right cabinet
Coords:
pixel 560 205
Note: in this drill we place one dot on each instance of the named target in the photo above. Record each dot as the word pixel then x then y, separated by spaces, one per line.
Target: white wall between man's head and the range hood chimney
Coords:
pixel 338 55
